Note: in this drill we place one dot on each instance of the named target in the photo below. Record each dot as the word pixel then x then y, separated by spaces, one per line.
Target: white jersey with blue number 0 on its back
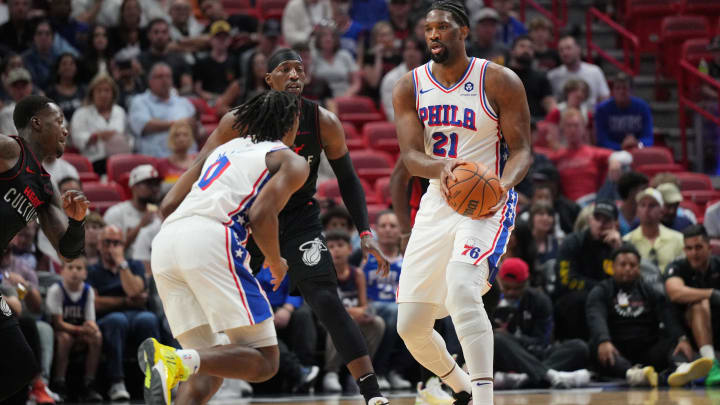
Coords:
pixel 231 179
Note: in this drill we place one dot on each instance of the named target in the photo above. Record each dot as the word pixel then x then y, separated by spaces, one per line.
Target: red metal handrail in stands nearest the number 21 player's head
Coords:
pixel 630 42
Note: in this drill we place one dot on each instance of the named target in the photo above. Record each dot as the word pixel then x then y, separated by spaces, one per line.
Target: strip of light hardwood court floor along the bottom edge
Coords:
pixel 591 396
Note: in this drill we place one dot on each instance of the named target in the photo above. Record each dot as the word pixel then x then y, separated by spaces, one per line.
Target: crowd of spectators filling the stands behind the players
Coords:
pixel 605 268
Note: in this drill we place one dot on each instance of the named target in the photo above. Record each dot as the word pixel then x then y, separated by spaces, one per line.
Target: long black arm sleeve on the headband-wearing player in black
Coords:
pixel 351 191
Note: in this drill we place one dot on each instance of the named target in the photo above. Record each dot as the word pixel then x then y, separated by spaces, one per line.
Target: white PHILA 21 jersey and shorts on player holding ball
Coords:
pixel 459 123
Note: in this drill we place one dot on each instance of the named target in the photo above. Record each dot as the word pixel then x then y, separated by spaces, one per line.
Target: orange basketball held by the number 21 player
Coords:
pixel 476 190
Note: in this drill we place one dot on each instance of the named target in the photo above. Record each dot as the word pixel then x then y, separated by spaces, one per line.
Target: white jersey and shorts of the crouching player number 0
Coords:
pixel 199 258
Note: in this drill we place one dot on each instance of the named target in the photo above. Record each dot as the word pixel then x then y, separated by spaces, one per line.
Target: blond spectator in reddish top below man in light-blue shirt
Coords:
pixel 180 140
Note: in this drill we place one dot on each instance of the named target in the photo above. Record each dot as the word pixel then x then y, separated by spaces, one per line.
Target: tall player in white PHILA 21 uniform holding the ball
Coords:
pixel 453 109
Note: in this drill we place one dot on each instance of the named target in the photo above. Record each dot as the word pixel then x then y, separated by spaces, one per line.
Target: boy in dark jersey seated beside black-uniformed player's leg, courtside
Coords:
pixel 353 294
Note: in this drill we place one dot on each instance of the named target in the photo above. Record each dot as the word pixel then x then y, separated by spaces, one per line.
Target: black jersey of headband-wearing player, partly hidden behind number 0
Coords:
pixel 308 145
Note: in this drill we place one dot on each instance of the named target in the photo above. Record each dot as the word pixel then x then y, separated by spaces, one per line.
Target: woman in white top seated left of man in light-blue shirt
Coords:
pixel 99 127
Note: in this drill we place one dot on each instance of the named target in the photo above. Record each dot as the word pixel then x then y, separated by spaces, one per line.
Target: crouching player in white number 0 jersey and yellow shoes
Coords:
pixel 201 265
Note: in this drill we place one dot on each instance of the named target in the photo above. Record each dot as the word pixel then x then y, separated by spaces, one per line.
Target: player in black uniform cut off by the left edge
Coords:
pixel 26 194
